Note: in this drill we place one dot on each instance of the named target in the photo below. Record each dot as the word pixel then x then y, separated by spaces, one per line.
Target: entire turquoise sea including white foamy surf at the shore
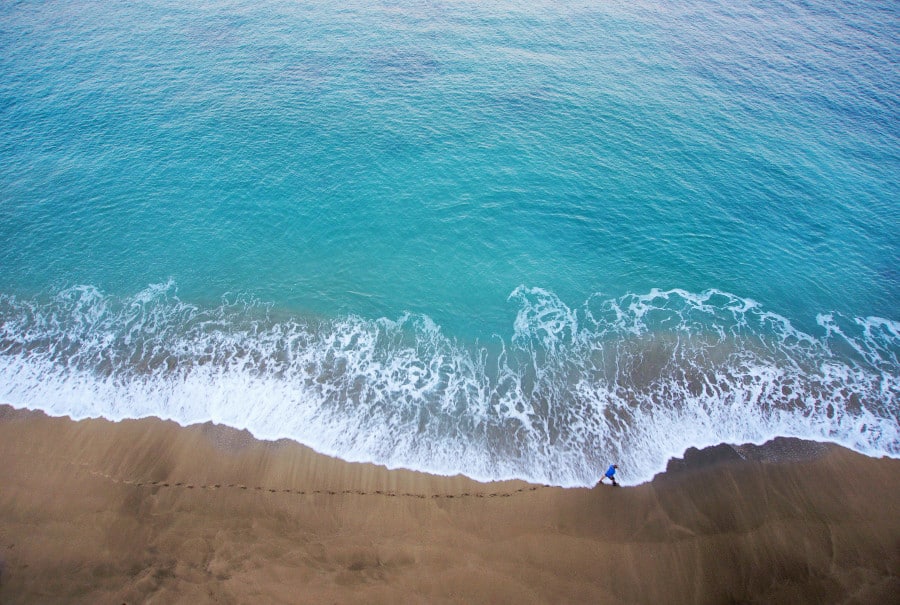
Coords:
pixel 462 237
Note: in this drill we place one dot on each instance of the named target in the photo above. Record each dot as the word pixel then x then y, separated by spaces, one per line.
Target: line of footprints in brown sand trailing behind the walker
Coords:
pixel 315 492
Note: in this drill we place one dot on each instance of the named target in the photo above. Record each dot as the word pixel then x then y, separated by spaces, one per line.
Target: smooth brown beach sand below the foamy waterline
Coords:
pixel 145 511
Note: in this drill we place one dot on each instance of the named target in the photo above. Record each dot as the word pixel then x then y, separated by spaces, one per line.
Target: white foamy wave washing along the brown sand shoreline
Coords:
pixel 635 379
